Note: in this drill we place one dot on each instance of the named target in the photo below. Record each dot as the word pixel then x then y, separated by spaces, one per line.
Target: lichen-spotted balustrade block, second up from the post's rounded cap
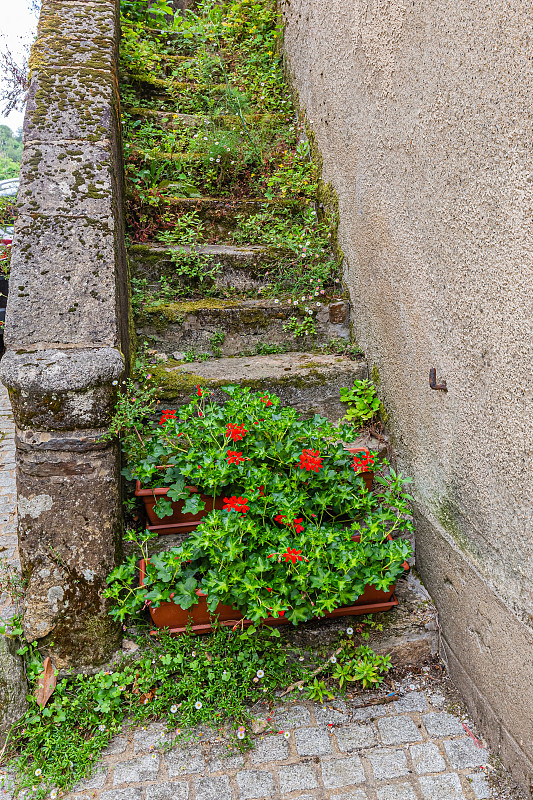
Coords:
pixel 72 179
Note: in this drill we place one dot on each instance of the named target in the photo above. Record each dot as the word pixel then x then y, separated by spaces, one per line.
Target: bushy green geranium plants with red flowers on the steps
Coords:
pixel 298 535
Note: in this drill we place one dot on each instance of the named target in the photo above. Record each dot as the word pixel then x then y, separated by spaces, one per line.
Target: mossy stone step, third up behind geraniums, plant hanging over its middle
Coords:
pixel 242 268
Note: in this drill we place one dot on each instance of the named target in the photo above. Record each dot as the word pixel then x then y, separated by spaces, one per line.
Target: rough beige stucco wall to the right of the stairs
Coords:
pixel 423 115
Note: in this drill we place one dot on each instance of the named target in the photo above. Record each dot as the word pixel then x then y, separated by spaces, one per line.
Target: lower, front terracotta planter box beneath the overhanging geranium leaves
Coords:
pixel 172 616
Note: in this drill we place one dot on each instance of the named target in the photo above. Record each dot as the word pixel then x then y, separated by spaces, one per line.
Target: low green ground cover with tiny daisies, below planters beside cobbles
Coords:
pixel 184 681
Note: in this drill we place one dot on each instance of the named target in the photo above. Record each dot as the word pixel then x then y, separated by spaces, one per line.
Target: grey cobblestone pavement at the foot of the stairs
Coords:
pixel 410 749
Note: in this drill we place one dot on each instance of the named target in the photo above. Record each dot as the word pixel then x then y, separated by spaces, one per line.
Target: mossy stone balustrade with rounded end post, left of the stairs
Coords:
pixel 67 331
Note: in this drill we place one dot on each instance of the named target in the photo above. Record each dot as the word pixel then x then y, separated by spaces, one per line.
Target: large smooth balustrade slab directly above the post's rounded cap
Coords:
pixel 64 267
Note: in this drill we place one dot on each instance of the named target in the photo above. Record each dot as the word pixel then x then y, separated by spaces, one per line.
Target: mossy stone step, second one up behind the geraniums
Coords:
pixel 234 327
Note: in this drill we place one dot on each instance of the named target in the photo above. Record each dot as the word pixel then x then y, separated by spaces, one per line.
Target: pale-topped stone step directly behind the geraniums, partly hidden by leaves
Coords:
pixel 309 382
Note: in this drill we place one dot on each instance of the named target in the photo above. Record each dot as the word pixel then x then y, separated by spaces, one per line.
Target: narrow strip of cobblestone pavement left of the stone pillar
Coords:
pixel 8 496
